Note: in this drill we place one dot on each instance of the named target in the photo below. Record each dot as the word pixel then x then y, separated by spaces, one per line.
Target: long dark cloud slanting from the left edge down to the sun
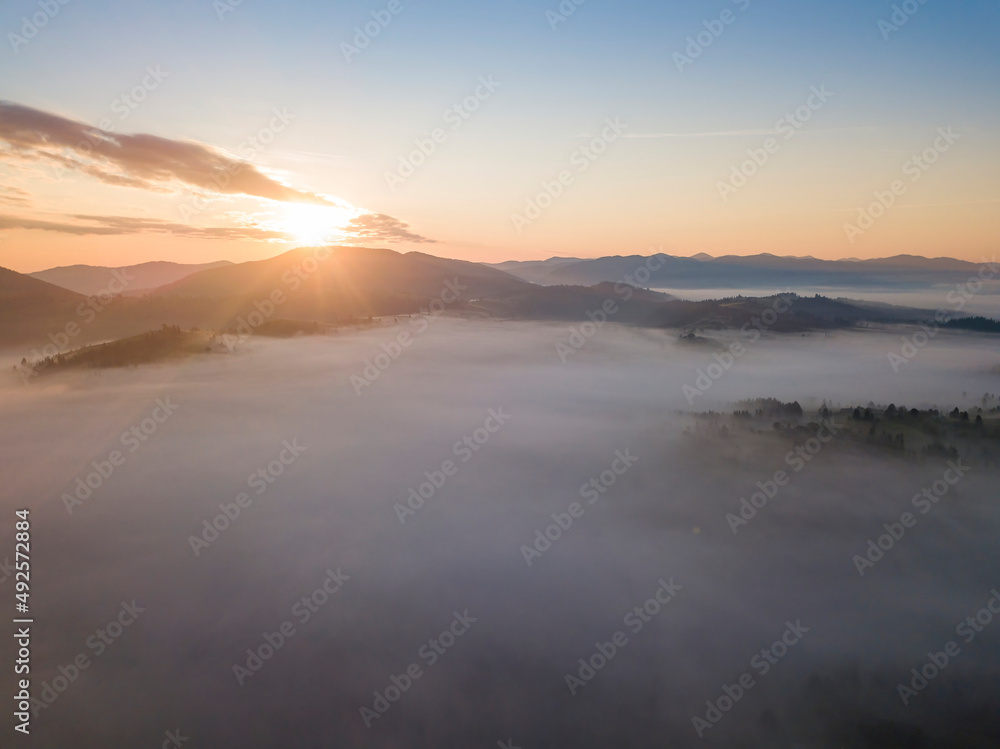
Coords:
pixel 142 161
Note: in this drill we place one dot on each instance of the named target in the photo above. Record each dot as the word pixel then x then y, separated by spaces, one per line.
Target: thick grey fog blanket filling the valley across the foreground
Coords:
pixel 357 455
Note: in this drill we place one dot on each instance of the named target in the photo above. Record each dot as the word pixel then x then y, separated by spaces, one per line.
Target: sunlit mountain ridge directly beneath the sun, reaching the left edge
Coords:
pixel 351 282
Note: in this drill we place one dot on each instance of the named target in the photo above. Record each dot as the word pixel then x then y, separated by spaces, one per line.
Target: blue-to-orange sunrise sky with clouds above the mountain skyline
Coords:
pixel 197 131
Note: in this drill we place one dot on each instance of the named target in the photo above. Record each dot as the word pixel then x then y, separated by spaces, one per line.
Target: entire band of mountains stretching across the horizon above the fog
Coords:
pixel 337 284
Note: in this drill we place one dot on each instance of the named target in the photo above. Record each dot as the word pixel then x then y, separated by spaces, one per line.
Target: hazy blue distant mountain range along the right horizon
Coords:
pixel 753 271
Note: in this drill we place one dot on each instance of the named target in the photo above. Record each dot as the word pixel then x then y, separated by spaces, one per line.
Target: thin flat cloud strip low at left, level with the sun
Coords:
pixel 119 225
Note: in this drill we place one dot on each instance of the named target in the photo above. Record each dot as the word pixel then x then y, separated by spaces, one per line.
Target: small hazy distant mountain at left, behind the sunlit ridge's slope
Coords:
pixel 95 279
